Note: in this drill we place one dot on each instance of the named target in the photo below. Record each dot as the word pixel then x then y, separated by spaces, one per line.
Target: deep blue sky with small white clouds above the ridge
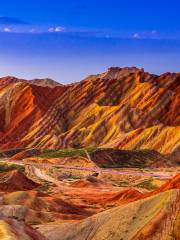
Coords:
pixel 66 40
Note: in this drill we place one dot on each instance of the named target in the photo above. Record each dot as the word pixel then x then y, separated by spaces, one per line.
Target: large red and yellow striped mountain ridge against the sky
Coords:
pixel 122 108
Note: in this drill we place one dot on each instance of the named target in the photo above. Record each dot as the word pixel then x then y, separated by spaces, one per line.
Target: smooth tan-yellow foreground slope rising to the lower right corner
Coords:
pixel 149 218
